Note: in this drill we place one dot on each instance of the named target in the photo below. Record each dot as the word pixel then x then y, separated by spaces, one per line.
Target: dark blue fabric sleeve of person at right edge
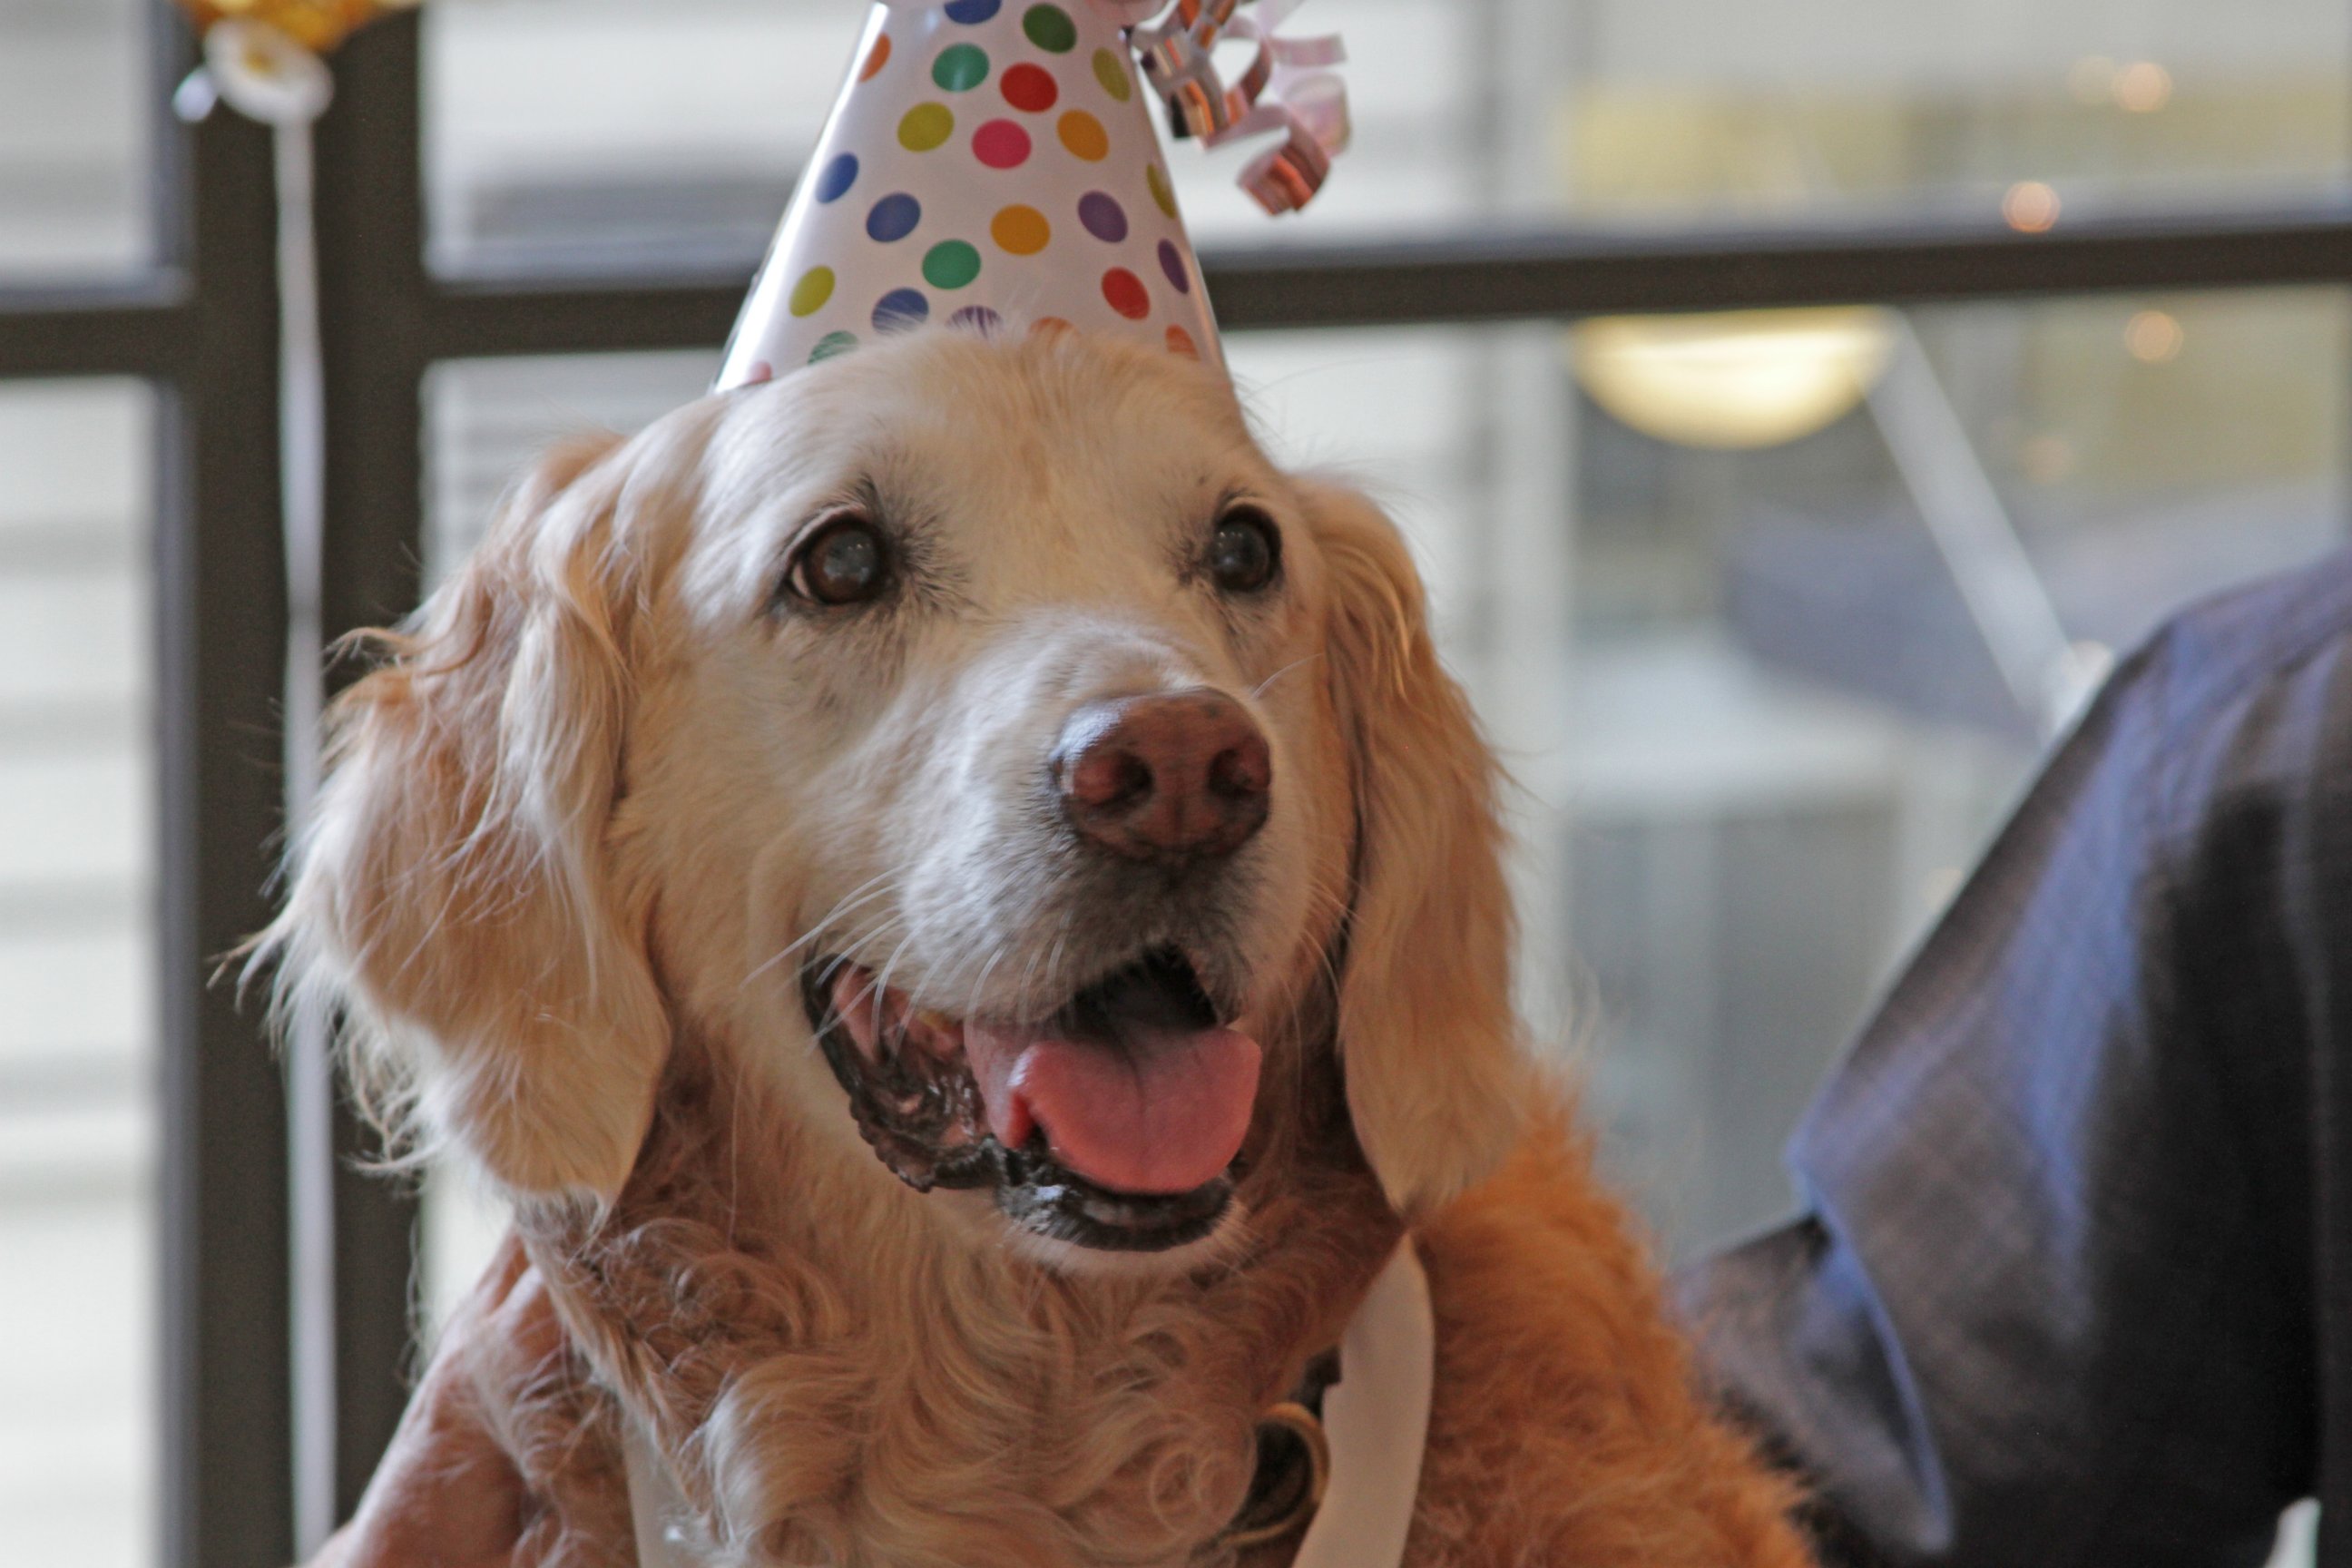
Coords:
pixel 2071 1282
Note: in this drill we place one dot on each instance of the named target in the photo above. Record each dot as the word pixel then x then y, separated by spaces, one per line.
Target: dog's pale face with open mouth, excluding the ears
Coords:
pixel 1036 791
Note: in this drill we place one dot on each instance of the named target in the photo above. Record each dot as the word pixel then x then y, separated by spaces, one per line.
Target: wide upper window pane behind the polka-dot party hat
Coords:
pixel 683 126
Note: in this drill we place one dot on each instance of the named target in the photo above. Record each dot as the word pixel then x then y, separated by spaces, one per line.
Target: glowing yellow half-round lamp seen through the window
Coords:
pixel 1732 382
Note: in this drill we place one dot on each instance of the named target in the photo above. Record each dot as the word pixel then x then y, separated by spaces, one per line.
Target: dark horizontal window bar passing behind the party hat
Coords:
pixel 1556 274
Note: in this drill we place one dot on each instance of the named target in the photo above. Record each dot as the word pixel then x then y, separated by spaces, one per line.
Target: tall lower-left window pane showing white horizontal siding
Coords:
pixel 79 974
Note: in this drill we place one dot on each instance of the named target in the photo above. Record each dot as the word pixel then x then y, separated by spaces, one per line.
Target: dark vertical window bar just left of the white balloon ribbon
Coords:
pixel 220 594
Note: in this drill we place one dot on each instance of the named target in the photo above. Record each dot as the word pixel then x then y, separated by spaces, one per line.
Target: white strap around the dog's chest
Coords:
pixel 1377 1421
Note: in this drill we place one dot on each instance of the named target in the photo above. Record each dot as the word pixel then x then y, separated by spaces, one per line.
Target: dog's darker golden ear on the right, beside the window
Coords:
pixel 1429 1038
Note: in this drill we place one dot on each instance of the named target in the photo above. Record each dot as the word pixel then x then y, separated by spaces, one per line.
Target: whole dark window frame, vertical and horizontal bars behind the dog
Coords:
pixel 203 328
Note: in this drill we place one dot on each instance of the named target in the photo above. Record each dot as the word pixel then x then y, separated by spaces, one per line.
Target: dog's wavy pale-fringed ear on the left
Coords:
pixel 453 892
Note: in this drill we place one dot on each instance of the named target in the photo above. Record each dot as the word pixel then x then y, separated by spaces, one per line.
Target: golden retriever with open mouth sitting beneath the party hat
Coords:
pixel 963 913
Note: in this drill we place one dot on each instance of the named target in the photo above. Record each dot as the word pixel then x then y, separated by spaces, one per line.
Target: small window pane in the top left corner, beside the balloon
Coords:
pixel 74 138
